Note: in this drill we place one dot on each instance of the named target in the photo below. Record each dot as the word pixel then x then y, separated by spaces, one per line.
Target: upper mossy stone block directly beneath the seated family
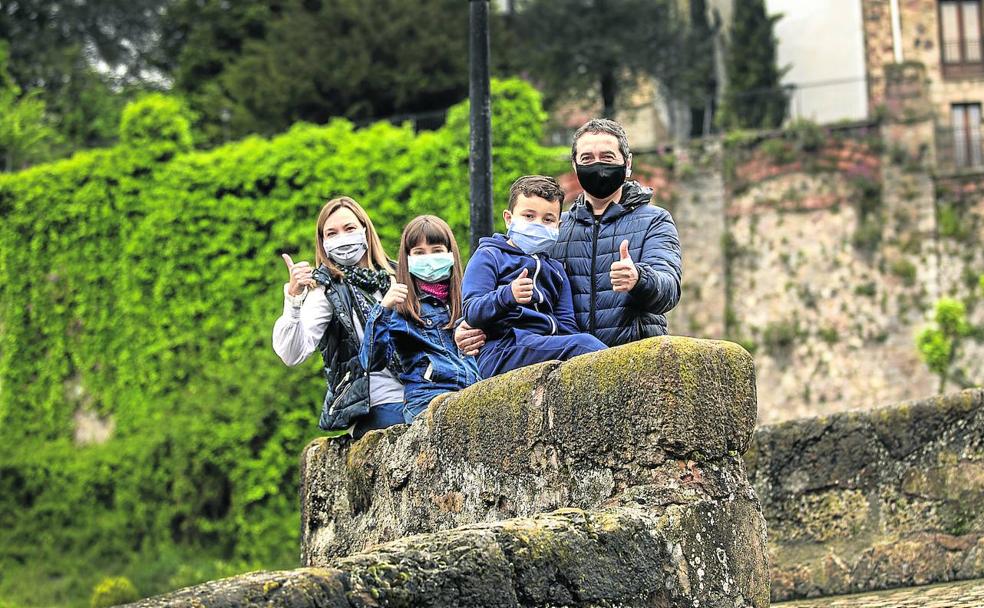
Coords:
pixel 656 422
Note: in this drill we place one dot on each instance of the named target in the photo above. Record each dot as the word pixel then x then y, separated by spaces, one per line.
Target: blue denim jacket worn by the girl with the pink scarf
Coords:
pixel 432 363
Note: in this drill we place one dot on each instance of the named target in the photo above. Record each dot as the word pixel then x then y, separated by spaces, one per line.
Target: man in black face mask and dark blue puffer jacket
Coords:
pixel 622 254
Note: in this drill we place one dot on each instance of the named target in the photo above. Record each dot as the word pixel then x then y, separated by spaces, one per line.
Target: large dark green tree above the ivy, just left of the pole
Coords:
pixel 258 67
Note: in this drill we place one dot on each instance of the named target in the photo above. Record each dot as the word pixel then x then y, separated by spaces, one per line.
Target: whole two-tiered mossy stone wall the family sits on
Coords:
pixel 616 478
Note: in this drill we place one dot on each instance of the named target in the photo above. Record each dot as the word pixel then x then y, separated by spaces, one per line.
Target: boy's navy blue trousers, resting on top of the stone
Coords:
pixel 520 348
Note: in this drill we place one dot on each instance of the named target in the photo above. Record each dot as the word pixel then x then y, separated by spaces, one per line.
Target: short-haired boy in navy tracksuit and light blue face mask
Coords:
pixel 516 293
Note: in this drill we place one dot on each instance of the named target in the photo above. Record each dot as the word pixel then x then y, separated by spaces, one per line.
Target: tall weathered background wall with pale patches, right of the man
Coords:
pixel 824 258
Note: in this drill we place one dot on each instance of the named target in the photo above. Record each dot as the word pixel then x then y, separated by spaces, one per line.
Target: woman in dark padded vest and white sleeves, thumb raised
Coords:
pixel 325 309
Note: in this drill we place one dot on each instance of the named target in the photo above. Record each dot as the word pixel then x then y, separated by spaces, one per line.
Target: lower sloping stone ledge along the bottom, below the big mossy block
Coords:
pixel 616 557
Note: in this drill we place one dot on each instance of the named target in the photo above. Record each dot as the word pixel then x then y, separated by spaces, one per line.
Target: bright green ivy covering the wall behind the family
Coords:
pixel 144 291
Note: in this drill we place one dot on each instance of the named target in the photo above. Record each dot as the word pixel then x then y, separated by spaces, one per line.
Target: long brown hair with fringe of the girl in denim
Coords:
pixel 433 231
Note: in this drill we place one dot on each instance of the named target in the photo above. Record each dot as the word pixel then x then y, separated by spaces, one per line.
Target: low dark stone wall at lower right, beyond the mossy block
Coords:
pixel 864 501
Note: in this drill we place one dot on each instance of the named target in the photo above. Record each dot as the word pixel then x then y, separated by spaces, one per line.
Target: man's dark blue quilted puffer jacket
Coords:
pixel 588 246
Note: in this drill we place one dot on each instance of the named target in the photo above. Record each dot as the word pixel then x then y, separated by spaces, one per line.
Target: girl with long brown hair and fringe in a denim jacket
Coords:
pixel 416 317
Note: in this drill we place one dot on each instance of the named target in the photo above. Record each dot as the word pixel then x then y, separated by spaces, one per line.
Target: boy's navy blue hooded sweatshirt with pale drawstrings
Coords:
pixel 487 295
